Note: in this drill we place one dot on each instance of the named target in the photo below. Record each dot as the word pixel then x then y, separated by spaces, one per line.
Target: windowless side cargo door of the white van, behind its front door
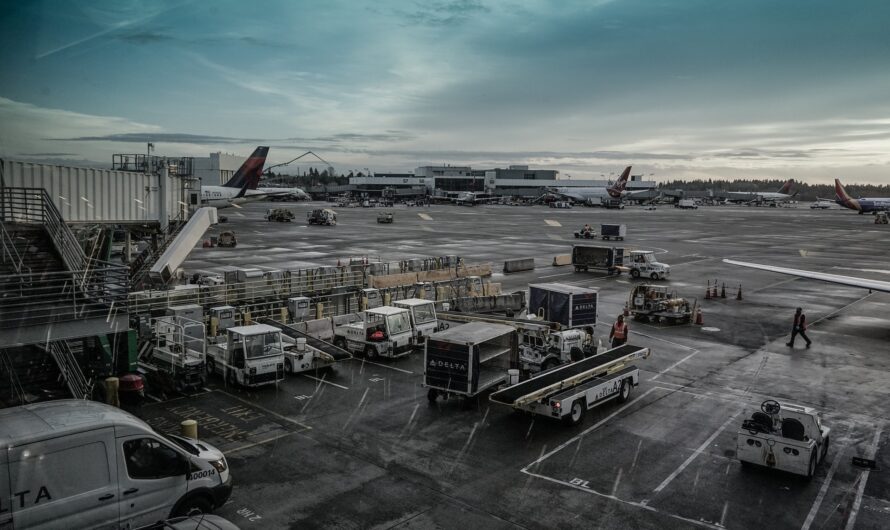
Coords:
pixel 64 482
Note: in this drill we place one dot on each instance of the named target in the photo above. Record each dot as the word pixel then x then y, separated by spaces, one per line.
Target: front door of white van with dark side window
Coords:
pixel 152 478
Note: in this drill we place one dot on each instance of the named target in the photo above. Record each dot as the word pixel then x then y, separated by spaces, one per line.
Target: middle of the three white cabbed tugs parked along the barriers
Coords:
pixel 381 332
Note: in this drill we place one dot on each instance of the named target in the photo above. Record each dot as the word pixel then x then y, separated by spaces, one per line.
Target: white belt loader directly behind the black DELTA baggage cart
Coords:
pixel 541 346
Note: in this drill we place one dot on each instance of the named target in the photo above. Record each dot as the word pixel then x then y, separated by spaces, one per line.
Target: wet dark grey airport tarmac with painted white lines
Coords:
pixel 361 447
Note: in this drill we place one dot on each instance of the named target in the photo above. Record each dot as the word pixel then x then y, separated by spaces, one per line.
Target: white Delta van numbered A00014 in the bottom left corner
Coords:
pixel 81 464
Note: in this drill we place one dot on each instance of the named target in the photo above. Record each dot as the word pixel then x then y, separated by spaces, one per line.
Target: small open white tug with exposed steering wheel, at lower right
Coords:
pixel 785 437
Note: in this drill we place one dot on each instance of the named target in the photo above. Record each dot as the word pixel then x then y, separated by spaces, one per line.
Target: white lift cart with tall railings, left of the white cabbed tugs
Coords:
pixel 174 360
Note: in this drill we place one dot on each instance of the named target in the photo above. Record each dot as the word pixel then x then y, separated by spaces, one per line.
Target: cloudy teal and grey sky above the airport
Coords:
pixel 676 88
